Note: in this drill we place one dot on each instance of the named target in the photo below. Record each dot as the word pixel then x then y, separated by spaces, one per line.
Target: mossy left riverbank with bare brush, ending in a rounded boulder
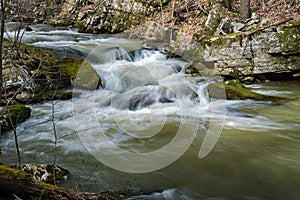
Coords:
pixel 32 75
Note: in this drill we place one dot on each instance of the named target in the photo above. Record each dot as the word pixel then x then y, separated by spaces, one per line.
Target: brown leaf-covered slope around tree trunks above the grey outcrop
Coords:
pixel 188 17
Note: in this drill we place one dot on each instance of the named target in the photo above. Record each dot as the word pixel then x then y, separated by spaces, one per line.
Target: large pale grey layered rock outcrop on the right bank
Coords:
pixel 268 51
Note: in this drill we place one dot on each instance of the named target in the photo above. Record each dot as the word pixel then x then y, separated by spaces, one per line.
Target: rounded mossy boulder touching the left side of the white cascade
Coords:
pixel 82 74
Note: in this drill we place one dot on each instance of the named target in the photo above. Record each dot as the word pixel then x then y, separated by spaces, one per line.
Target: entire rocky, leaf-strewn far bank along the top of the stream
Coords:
pixel 202 30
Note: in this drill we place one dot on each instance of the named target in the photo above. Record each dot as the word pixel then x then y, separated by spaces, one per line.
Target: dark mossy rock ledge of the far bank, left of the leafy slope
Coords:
pixel 99 16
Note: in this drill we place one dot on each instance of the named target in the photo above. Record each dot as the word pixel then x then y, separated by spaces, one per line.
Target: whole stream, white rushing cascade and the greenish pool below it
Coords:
pixel 147 104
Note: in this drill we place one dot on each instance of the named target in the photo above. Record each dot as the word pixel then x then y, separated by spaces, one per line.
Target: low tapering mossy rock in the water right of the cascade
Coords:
pixel 232 92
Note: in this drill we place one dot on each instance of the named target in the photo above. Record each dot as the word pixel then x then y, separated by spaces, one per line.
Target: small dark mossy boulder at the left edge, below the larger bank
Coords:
pixel 13 114
